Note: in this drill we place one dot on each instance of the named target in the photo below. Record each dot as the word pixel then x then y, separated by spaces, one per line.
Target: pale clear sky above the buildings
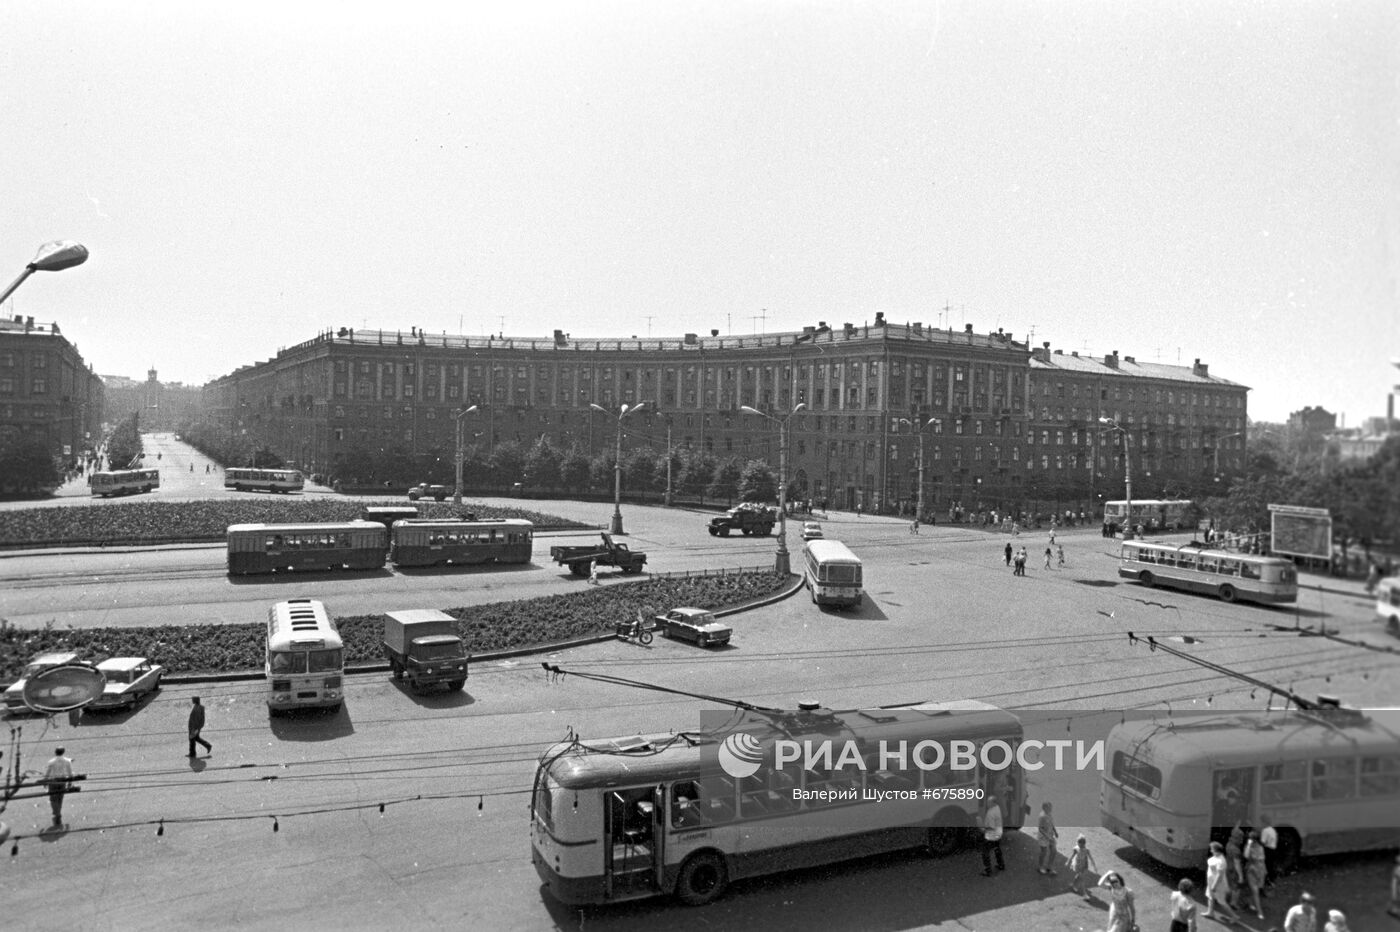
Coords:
pixel 1212 180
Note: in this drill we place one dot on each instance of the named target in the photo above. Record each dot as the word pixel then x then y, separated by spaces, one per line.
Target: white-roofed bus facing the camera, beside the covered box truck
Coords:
pixel 306 658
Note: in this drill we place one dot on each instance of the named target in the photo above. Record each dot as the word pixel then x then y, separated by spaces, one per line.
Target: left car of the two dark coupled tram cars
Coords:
pixel 352 545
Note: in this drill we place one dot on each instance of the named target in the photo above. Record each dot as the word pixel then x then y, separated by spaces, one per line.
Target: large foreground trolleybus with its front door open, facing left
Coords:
pixel 643 817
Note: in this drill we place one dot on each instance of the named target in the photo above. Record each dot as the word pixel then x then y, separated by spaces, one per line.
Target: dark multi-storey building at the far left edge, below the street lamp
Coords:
pixel 48 391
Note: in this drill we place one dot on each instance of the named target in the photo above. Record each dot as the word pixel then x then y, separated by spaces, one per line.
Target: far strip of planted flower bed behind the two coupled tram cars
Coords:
pixel 159 521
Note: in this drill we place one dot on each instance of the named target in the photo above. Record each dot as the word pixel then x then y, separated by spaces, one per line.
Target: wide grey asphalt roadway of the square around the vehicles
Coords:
pixel 944 621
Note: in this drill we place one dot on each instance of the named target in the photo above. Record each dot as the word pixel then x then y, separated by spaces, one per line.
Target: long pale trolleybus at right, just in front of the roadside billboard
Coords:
pixel 1220 573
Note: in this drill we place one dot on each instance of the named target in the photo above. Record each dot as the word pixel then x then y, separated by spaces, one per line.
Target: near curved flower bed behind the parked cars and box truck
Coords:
pixel 500 626
